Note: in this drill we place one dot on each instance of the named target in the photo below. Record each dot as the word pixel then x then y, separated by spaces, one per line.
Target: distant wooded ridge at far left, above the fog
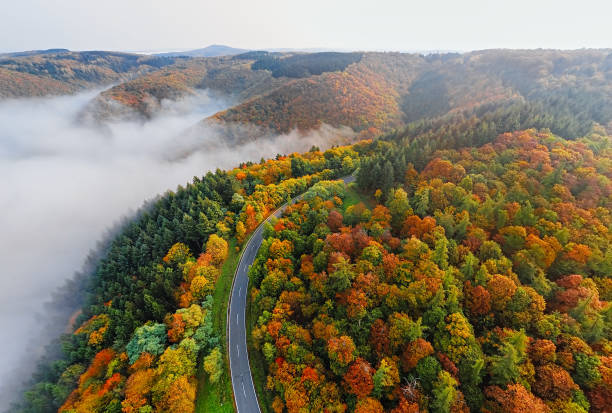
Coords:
pixel 59 72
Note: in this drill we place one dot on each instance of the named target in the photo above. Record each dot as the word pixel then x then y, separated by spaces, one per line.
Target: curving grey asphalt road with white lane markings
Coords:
pixel 242 380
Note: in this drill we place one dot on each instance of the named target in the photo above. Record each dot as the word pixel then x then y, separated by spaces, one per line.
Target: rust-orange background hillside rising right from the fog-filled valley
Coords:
pixel 423 87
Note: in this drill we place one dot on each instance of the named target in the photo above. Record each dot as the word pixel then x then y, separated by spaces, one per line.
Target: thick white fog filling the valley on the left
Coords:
pixel 64 184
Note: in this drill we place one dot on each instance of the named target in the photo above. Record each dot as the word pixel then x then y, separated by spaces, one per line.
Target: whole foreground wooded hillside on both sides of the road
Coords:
pixel 468 268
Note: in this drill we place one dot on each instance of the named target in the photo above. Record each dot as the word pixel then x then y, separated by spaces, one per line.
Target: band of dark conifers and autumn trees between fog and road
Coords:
pixel 148 323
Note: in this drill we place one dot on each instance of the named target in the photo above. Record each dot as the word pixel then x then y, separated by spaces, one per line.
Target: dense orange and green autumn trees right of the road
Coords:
pixel 479 282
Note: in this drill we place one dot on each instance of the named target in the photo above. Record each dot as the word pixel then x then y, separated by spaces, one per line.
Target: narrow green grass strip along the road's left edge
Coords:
pixel 218 397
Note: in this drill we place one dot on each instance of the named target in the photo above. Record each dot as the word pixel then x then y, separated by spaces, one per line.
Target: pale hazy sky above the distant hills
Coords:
pixel 347 24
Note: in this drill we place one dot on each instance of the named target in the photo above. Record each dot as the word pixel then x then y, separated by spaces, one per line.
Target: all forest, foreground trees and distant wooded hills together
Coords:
pixel 467 269
